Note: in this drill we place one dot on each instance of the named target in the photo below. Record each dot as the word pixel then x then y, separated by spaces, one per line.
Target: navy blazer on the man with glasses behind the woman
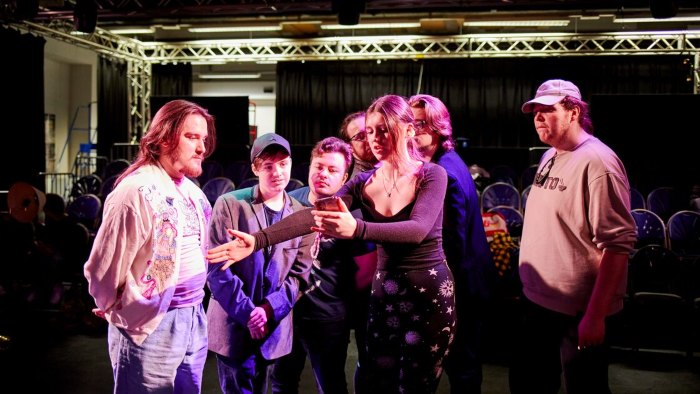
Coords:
pixel 464 240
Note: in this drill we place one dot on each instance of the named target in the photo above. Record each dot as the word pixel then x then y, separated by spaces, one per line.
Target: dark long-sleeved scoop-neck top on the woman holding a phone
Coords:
pixel 410 239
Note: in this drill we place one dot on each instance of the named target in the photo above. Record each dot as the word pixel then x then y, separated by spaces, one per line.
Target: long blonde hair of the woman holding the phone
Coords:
pixel 398 116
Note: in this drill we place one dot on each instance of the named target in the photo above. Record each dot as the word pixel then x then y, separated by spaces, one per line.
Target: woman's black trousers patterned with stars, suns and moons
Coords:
pixel 411 324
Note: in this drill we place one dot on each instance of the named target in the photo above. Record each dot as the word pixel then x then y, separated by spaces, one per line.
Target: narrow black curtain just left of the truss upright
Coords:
pixel 112 105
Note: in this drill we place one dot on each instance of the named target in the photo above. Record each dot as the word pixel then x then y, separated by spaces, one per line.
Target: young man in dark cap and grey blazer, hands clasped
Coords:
pixel 250 310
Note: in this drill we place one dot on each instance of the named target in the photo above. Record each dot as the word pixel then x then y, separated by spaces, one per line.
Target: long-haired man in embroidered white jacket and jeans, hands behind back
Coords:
pixel 147 270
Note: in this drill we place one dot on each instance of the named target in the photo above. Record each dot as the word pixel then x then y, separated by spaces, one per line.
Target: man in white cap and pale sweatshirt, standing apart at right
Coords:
pixel 576 240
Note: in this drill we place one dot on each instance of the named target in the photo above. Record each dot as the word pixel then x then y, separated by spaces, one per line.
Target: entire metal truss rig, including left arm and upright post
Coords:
pixel 143 54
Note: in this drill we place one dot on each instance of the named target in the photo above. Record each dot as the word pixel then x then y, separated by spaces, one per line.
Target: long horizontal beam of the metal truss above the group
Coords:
pixel 424 47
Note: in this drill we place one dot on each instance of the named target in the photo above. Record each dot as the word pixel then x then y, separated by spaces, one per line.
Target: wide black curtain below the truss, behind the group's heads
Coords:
pixel 483 95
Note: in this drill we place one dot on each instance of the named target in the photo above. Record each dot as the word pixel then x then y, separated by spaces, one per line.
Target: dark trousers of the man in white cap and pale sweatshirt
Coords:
pixel 546 346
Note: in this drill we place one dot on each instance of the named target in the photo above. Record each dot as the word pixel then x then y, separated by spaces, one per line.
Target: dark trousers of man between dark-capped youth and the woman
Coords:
pixel 326 344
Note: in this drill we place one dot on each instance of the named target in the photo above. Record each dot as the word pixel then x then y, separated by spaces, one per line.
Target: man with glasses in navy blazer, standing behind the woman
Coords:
pixel 464 241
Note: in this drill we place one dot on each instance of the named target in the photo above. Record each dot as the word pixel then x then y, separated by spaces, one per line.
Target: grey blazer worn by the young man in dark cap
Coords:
pixel 247 283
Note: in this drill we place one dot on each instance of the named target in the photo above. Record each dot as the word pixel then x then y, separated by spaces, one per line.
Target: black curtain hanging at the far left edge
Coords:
pixel 22 76
